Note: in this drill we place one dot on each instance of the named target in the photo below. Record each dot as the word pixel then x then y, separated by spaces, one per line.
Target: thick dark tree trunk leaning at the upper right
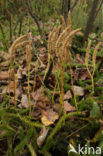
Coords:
pixel 90 20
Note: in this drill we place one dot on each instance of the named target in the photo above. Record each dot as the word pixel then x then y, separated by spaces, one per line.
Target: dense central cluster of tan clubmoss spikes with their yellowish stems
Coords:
pixel 59 44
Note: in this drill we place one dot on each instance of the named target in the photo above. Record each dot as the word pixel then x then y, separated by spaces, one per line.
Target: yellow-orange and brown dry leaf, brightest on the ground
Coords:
pixel 49 118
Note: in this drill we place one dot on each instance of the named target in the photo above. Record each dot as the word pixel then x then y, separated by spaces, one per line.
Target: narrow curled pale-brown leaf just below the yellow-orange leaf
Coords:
pixel 42 136
